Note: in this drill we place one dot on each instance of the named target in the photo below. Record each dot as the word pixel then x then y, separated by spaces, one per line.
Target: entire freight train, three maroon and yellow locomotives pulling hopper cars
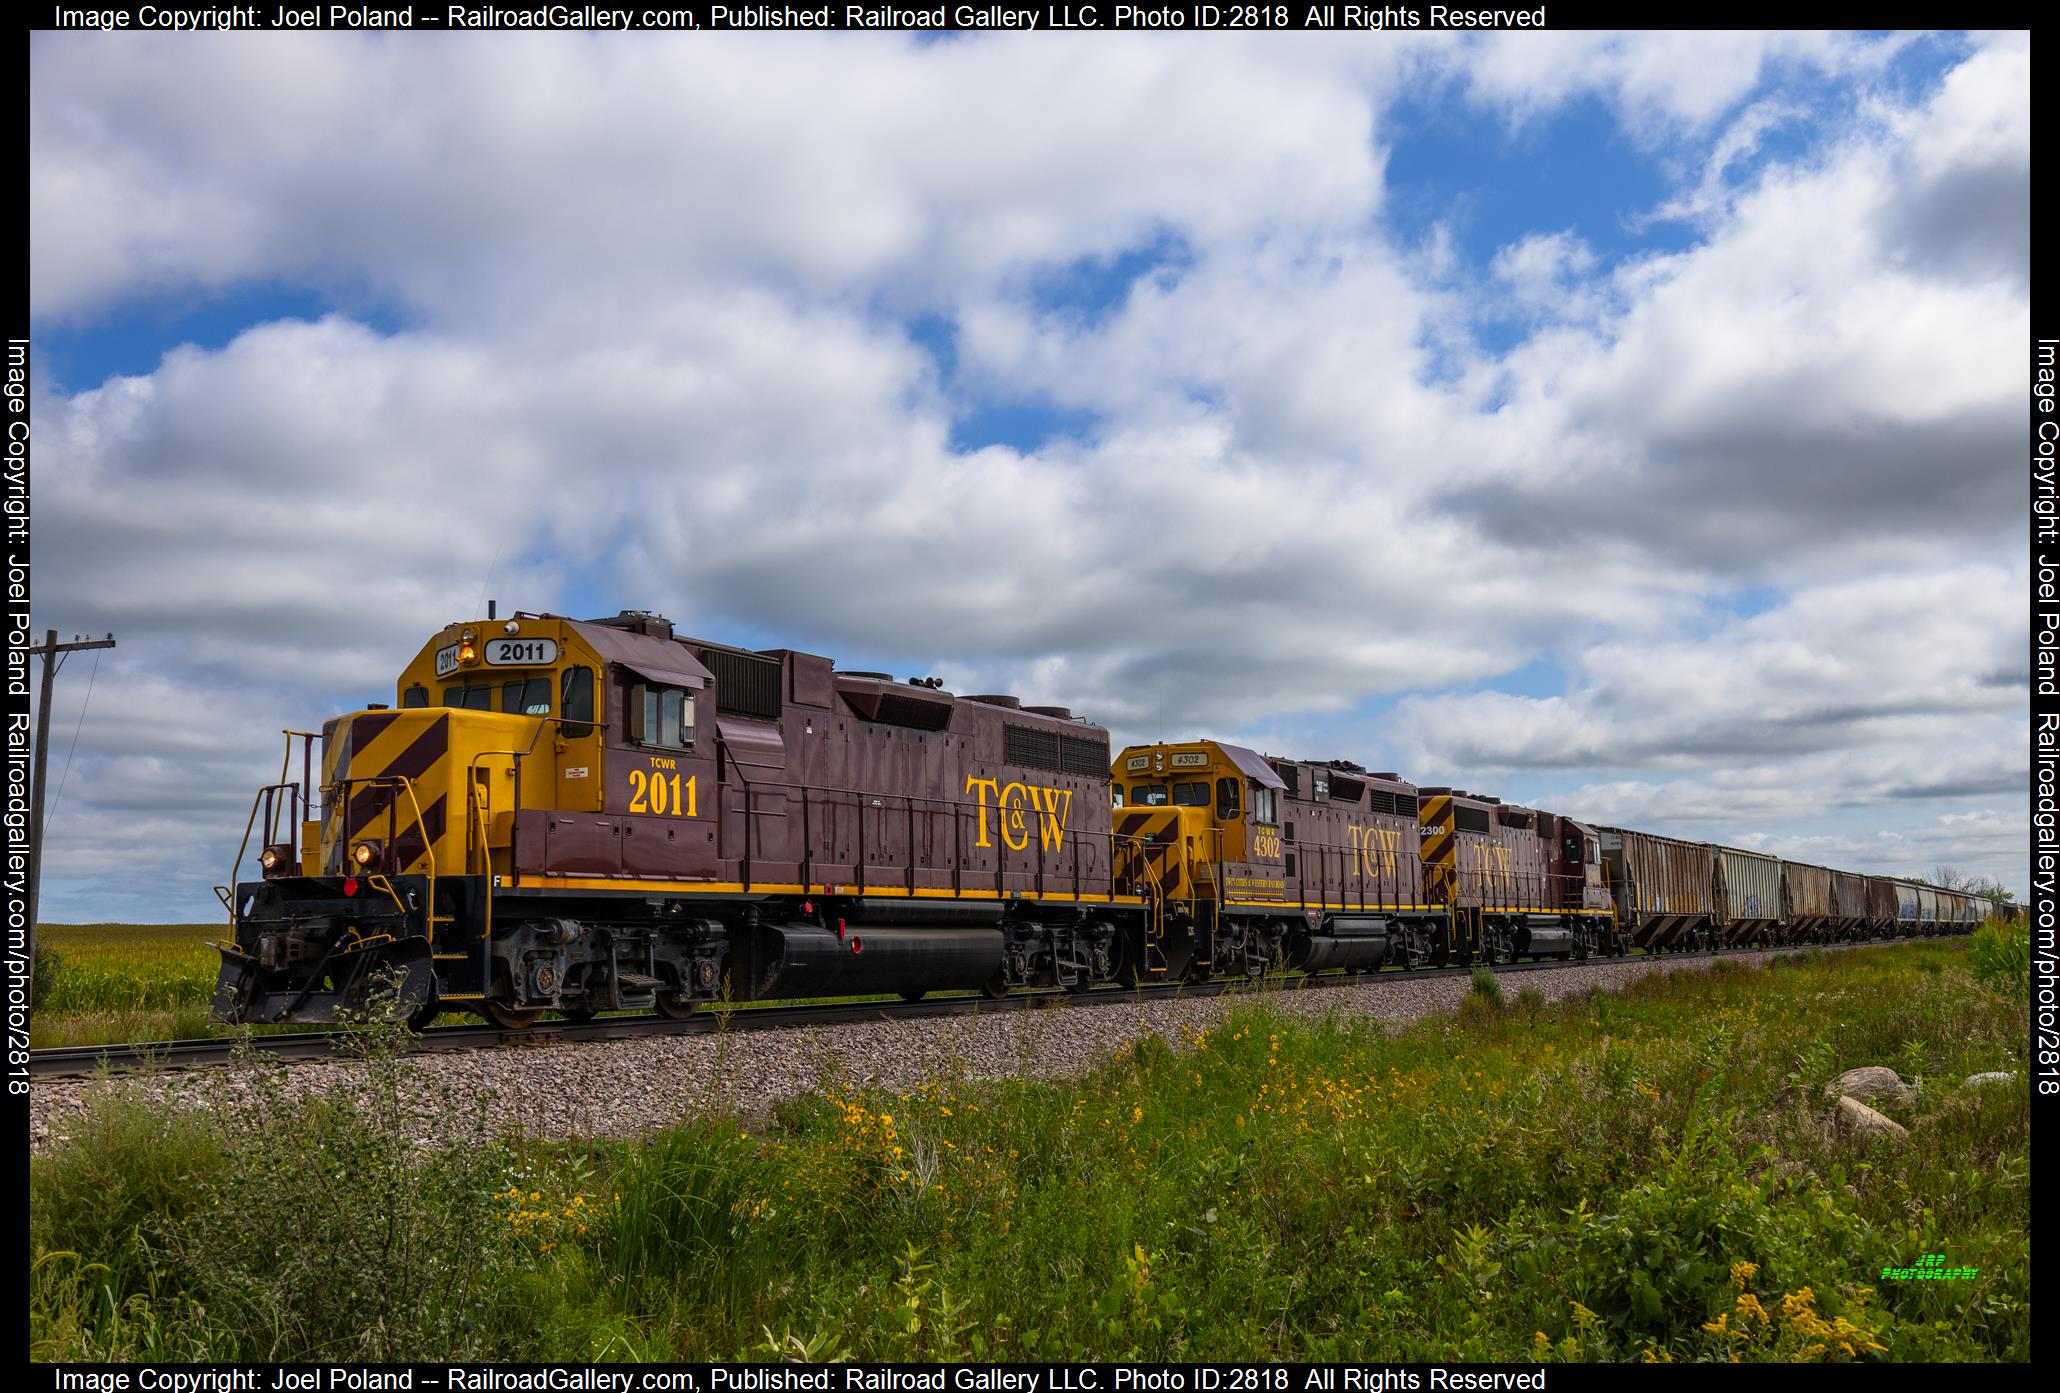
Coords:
pixel 598 815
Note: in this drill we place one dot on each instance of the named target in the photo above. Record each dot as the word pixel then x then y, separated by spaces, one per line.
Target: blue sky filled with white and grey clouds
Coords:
pixel 1626 426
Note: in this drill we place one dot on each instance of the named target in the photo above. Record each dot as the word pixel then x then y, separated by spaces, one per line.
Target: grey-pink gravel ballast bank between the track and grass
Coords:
pixel 625 1089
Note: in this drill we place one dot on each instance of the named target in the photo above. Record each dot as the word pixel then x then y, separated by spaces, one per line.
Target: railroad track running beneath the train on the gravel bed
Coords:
pixel 85 1060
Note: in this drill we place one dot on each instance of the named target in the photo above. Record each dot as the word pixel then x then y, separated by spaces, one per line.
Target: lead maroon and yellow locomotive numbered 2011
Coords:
pixel 580 817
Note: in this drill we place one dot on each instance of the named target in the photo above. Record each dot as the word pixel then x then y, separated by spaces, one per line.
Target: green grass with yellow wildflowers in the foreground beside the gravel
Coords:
pixel 1618 1178
